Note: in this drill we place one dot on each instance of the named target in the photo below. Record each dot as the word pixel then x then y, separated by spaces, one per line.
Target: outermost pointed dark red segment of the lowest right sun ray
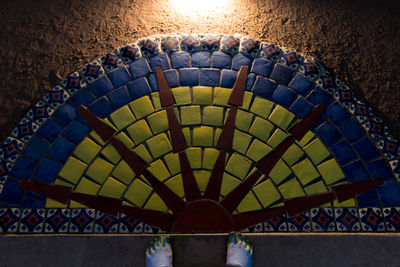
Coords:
pixel 346 191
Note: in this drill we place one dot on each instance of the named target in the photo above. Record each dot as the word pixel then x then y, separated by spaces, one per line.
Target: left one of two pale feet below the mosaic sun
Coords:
pixel 159 253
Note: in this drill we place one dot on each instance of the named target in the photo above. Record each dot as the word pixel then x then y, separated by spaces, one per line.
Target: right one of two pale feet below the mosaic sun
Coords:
pixel 240 252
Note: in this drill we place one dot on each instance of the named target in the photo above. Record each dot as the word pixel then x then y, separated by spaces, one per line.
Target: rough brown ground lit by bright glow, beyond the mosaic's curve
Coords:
pixel 42 41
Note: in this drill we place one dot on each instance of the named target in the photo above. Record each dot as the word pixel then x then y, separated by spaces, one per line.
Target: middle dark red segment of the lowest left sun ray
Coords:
pixel 106 204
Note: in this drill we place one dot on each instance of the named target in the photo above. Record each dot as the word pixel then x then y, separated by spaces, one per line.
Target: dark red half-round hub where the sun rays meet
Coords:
pixel 203 216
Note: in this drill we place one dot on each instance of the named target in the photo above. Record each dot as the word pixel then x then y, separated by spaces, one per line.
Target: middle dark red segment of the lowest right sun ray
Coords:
pixel 298 205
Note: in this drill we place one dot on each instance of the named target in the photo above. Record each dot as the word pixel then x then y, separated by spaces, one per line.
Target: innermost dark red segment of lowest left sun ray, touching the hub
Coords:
pixel 156 218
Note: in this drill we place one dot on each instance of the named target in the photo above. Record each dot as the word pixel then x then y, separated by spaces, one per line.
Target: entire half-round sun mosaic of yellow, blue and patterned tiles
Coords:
pixel 199 133
